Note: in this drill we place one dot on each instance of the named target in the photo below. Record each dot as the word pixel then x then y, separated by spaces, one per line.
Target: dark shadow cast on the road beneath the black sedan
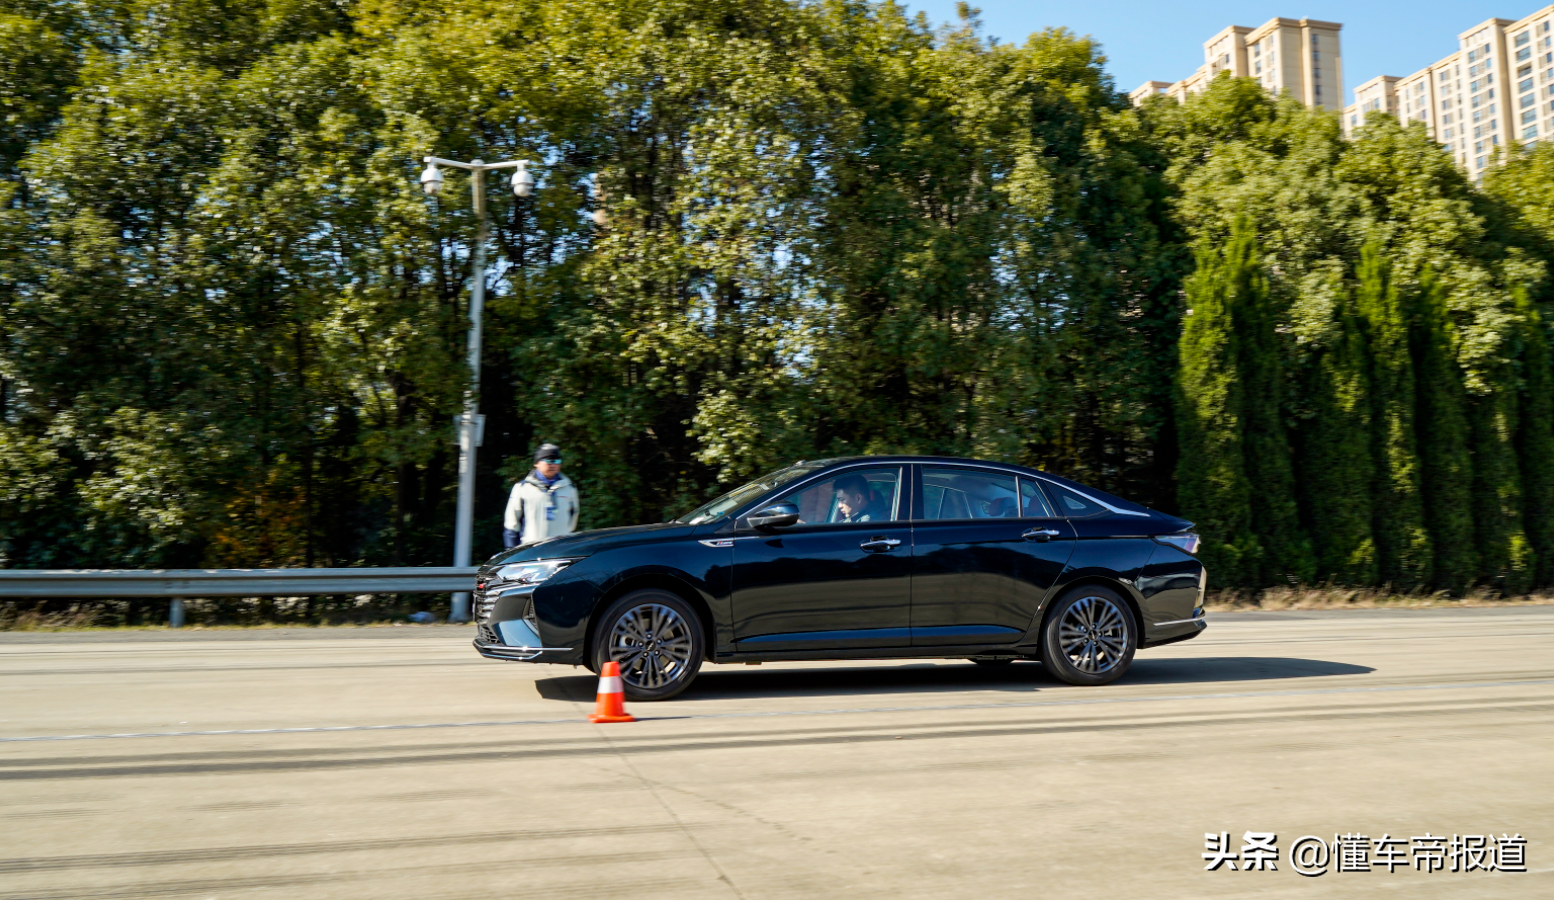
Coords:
pixel 725 683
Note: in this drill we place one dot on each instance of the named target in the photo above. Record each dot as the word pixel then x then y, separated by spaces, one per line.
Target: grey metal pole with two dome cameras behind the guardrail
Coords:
pixel 472 422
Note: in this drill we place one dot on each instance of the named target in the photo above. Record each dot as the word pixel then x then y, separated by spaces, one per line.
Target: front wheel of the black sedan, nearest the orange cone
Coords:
pixel 657 663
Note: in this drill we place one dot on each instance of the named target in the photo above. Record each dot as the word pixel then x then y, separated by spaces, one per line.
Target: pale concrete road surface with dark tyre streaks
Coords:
pixel 395 764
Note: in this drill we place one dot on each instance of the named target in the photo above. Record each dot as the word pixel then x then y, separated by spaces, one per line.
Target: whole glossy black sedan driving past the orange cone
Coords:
pixel 857 559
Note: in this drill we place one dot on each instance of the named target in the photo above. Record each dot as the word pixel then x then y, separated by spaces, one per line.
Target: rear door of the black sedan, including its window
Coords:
pixel 988 549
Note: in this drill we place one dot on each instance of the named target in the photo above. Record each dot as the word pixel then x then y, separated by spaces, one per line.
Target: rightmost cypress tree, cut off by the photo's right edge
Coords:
pixel 1536 439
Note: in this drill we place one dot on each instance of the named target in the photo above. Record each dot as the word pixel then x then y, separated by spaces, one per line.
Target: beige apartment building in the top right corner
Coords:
pixel 1497 88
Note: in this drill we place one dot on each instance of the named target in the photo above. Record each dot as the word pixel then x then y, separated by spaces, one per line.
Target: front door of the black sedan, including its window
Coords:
pixel 840 579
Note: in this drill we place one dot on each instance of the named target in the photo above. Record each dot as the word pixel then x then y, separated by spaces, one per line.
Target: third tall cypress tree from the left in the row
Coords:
pixel 1336 453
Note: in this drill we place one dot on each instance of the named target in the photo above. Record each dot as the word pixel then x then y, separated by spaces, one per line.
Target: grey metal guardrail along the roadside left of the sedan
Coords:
pixel 69 584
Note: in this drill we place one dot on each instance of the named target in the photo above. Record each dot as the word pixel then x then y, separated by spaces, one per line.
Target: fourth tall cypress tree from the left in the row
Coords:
pixel 1399 518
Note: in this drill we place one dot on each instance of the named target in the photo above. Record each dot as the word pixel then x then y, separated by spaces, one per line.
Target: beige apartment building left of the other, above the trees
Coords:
pixel 1297 55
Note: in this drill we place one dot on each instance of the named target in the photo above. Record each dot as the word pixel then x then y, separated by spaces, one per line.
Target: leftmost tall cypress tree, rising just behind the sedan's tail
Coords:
pixel 1211 475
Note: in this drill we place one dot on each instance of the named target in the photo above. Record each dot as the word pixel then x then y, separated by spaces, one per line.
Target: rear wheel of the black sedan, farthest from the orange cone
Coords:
pixel 1090 637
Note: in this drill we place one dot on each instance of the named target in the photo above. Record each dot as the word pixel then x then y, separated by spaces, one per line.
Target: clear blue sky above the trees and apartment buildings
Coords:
pixel 1165 41
